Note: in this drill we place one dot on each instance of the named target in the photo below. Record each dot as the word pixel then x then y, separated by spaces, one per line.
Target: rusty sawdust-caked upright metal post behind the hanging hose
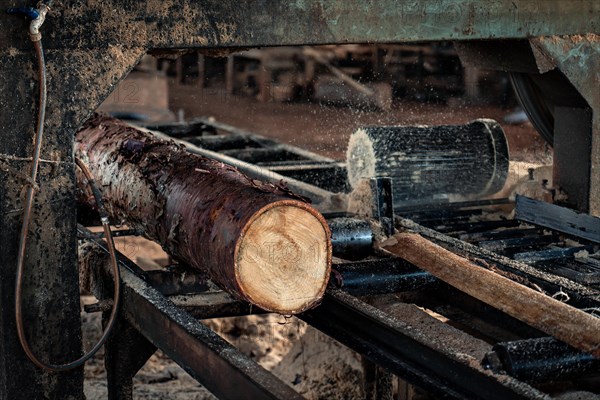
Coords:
pixel 51 291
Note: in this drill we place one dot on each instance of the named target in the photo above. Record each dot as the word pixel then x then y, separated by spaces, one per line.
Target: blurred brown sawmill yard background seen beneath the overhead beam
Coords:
pixel 315 97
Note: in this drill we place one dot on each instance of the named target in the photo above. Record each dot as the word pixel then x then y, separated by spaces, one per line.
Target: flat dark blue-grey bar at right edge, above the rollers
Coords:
pixel 561 219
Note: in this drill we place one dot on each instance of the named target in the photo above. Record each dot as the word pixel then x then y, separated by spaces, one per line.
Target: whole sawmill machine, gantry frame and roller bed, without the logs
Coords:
pixel 70 64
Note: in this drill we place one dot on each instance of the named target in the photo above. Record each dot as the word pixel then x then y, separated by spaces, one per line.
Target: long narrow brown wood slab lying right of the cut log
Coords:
pixel 571 325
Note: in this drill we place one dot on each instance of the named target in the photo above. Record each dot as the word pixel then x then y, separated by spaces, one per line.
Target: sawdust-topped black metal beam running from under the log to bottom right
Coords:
pixel 411 349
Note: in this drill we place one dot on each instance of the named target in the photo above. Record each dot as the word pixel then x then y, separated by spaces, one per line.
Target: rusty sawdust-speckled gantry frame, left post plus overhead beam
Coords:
pixel 92 45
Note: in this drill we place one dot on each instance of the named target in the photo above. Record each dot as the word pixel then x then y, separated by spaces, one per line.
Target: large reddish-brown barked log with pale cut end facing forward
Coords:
pixel 258 241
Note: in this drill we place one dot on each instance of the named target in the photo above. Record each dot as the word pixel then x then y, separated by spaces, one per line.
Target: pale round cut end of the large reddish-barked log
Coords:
pixel 283 258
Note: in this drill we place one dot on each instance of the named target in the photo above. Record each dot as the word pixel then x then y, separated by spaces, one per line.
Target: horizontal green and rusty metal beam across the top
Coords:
pixel 250 23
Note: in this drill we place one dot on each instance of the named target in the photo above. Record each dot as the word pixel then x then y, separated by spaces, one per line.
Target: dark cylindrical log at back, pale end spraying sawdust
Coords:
pixel 424 161
